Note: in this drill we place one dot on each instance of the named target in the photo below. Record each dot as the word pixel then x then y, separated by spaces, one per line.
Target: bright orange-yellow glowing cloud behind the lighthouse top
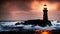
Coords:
pixel 38 6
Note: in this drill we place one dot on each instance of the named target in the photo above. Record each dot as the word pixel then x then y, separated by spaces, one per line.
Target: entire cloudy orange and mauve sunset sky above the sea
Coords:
pixel 29 9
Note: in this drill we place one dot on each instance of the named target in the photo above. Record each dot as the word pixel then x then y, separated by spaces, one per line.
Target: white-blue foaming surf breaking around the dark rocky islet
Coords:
pixel 29 27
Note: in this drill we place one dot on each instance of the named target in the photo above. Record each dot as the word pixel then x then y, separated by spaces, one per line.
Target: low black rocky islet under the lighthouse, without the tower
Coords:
pixel 37 22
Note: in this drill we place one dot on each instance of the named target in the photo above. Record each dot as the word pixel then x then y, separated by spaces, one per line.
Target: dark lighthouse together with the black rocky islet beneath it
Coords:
pixel 39 22
